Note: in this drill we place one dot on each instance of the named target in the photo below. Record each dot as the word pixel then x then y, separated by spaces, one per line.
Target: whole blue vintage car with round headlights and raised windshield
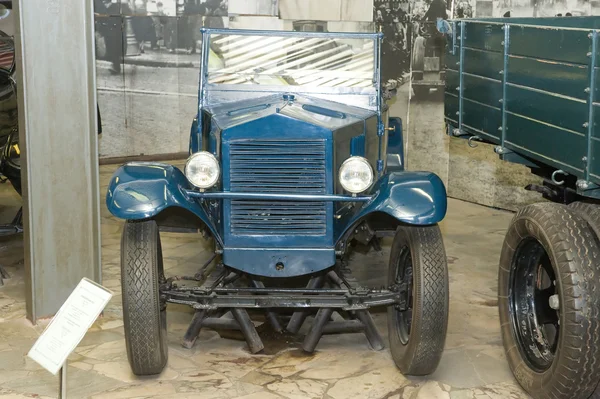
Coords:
pixel 292 159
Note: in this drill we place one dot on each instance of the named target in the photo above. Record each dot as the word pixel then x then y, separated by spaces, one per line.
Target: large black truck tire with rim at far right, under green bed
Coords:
pixel 553 353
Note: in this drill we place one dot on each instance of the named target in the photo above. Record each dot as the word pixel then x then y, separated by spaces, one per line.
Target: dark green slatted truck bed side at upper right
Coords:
pixel 529 86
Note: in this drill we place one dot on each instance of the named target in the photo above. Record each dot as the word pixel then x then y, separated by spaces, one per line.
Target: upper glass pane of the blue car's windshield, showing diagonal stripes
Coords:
pixel 291 61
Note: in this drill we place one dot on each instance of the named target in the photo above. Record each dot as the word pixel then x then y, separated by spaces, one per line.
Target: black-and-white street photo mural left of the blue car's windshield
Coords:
pixel 147 62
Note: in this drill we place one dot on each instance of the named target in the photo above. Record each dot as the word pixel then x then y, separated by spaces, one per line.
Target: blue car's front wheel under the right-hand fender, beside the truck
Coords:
pixel 417 336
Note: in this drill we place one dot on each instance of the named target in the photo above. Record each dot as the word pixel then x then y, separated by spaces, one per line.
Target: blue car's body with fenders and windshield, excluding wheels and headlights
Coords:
pixel 278 209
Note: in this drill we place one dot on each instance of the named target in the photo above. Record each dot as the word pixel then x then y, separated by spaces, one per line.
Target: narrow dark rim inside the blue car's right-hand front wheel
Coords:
pixel 404 275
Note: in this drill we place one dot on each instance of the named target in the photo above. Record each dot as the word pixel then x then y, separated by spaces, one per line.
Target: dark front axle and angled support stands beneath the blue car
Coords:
pixel 219 296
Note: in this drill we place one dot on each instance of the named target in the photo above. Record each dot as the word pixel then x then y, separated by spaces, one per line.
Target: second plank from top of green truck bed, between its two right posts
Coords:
pixel 566 79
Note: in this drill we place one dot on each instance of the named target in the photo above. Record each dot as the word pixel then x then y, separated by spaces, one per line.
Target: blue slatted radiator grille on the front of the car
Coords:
pixel 278 166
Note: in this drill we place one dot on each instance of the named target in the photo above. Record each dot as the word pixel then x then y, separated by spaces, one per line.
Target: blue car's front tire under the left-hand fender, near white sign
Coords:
pixel 144 317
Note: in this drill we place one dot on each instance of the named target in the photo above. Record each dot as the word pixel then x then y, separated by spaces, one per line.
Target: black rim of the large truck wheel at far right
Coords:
pixel 534 322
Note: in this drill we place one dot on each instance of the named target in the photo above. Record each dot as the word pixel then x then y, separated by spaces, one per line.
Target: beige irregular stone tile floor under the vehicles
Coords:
pixel 473 365
